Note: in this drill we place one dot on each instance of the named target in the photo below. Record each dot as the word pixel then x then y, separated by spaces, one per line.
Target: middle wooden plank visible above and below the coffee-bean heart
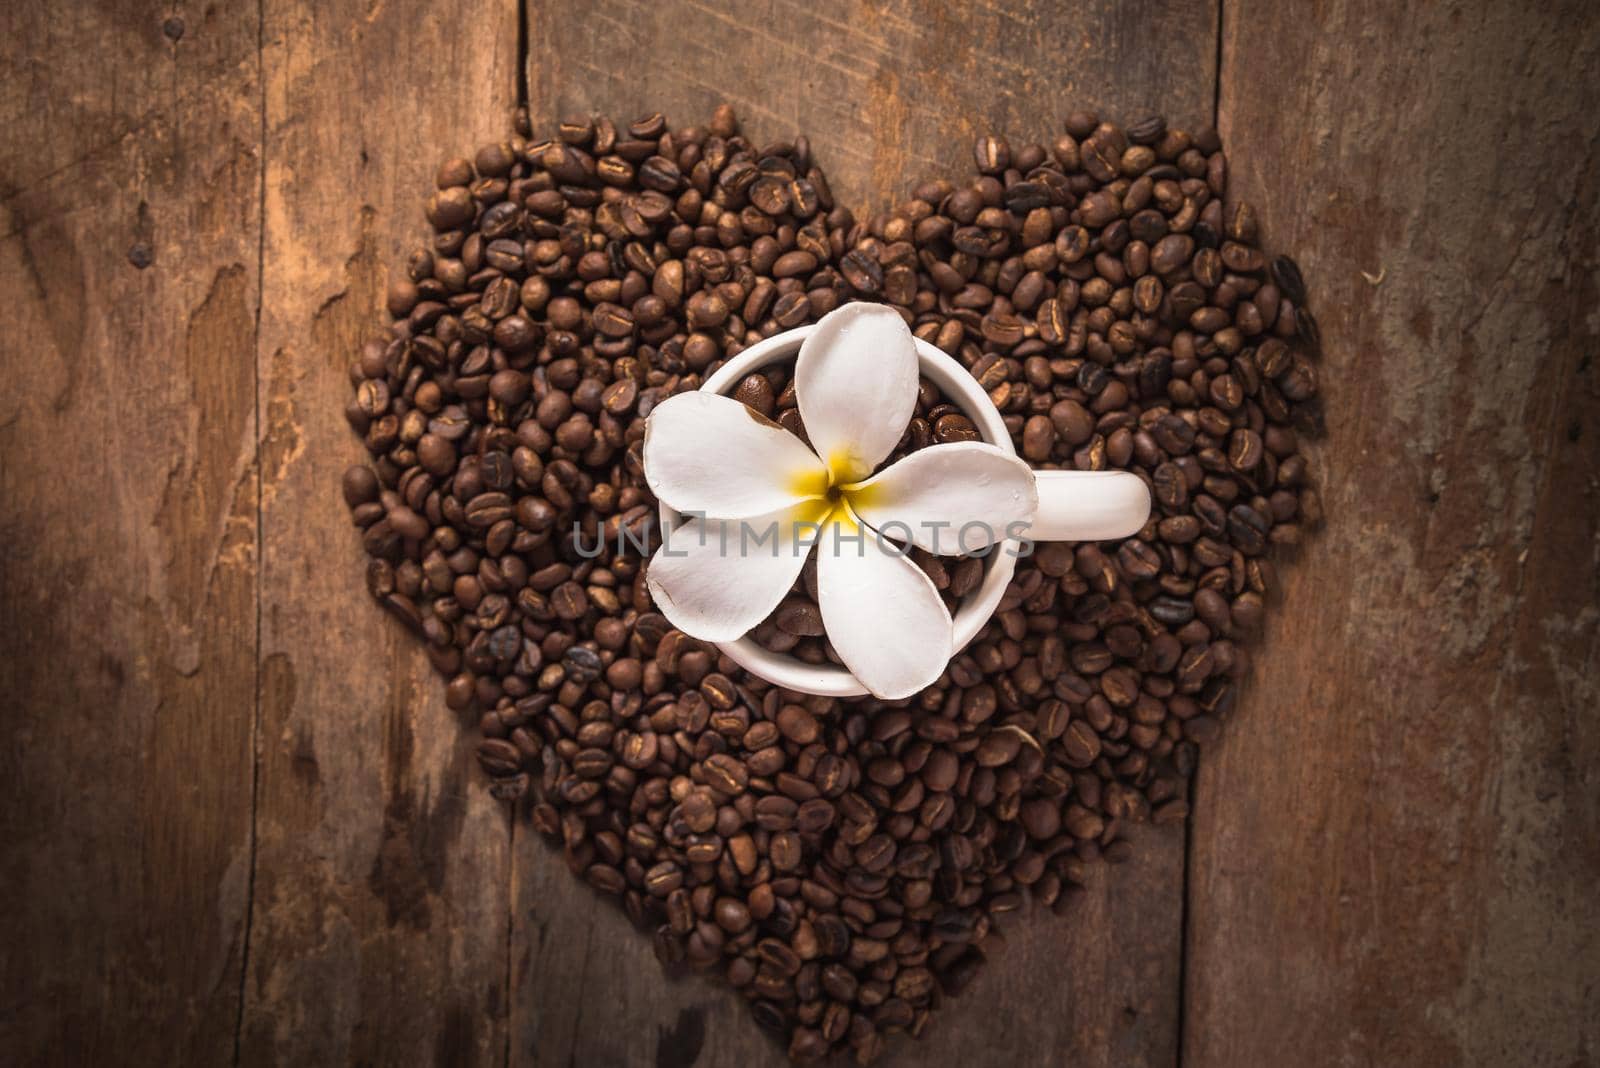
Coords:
pixel 889 97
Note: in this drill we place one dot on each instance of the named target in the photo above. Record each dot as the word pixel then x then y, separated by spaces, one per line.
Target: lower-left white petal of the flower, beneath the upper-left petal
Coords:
pixel 718 580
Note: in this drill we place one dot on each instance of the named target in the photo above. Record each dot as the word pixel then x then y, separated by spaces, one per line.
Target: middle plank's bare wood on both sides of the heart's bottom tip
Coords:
pixel 1097 987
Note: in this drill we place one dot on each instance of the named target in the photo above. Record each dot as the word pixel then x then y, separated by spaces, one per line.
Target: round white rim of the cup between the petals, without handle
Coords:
pixel 831 680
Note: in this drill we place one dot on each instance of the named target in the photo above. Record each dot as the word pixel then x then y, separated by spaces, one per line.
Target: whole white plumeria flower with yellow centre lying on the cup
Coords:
pixel 742 476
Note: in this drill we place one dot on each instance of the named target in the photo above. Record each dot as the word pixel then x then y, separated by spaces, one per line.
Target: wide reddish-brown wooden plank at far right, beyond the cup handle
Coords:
pixel 1396 843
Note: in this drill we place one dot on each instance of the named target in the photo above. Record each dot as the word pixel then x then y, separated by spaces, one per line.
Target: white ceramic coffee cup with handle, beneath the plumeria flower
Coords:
pixel 1065 512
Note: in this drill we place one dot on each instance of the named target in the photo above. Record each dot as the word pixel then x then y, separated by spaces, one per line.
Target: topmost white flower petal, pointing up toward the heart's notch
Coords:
pixel 857 388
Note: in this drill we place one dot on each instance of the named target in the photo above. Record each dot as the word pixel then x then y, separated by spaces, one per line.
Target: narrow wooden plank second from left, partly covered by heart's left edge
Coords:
pixel 380 917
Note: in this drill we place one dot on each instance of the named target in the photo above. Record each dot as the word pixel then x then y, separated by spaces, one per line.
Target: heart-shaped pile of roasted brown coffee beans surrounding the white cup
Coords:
pixel 841 863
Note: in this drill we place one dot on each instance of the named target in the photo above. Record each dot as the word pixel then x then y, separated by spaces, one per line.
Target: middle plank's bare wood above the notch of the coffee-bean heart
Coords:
pixel 889 94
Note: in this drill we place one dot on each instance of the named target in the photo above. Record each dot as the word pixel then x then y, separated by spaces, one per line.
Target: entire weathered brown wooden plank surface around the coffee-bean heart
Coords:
pixel 239 823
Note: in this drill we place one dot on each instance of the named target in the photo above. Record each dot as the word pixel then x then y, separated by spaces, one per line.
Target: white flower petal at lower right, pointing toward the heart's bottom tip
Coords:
pixel 881 612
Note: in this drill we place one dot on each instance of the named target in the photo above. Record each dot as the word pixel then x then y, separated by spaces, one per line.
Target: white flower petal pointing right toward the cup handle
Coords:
pixel 950 500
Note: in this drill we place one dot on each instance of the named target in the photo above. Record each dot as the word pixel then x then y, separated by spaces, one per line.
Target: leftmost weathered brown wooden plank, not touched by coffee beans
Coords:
pixel 129 245
